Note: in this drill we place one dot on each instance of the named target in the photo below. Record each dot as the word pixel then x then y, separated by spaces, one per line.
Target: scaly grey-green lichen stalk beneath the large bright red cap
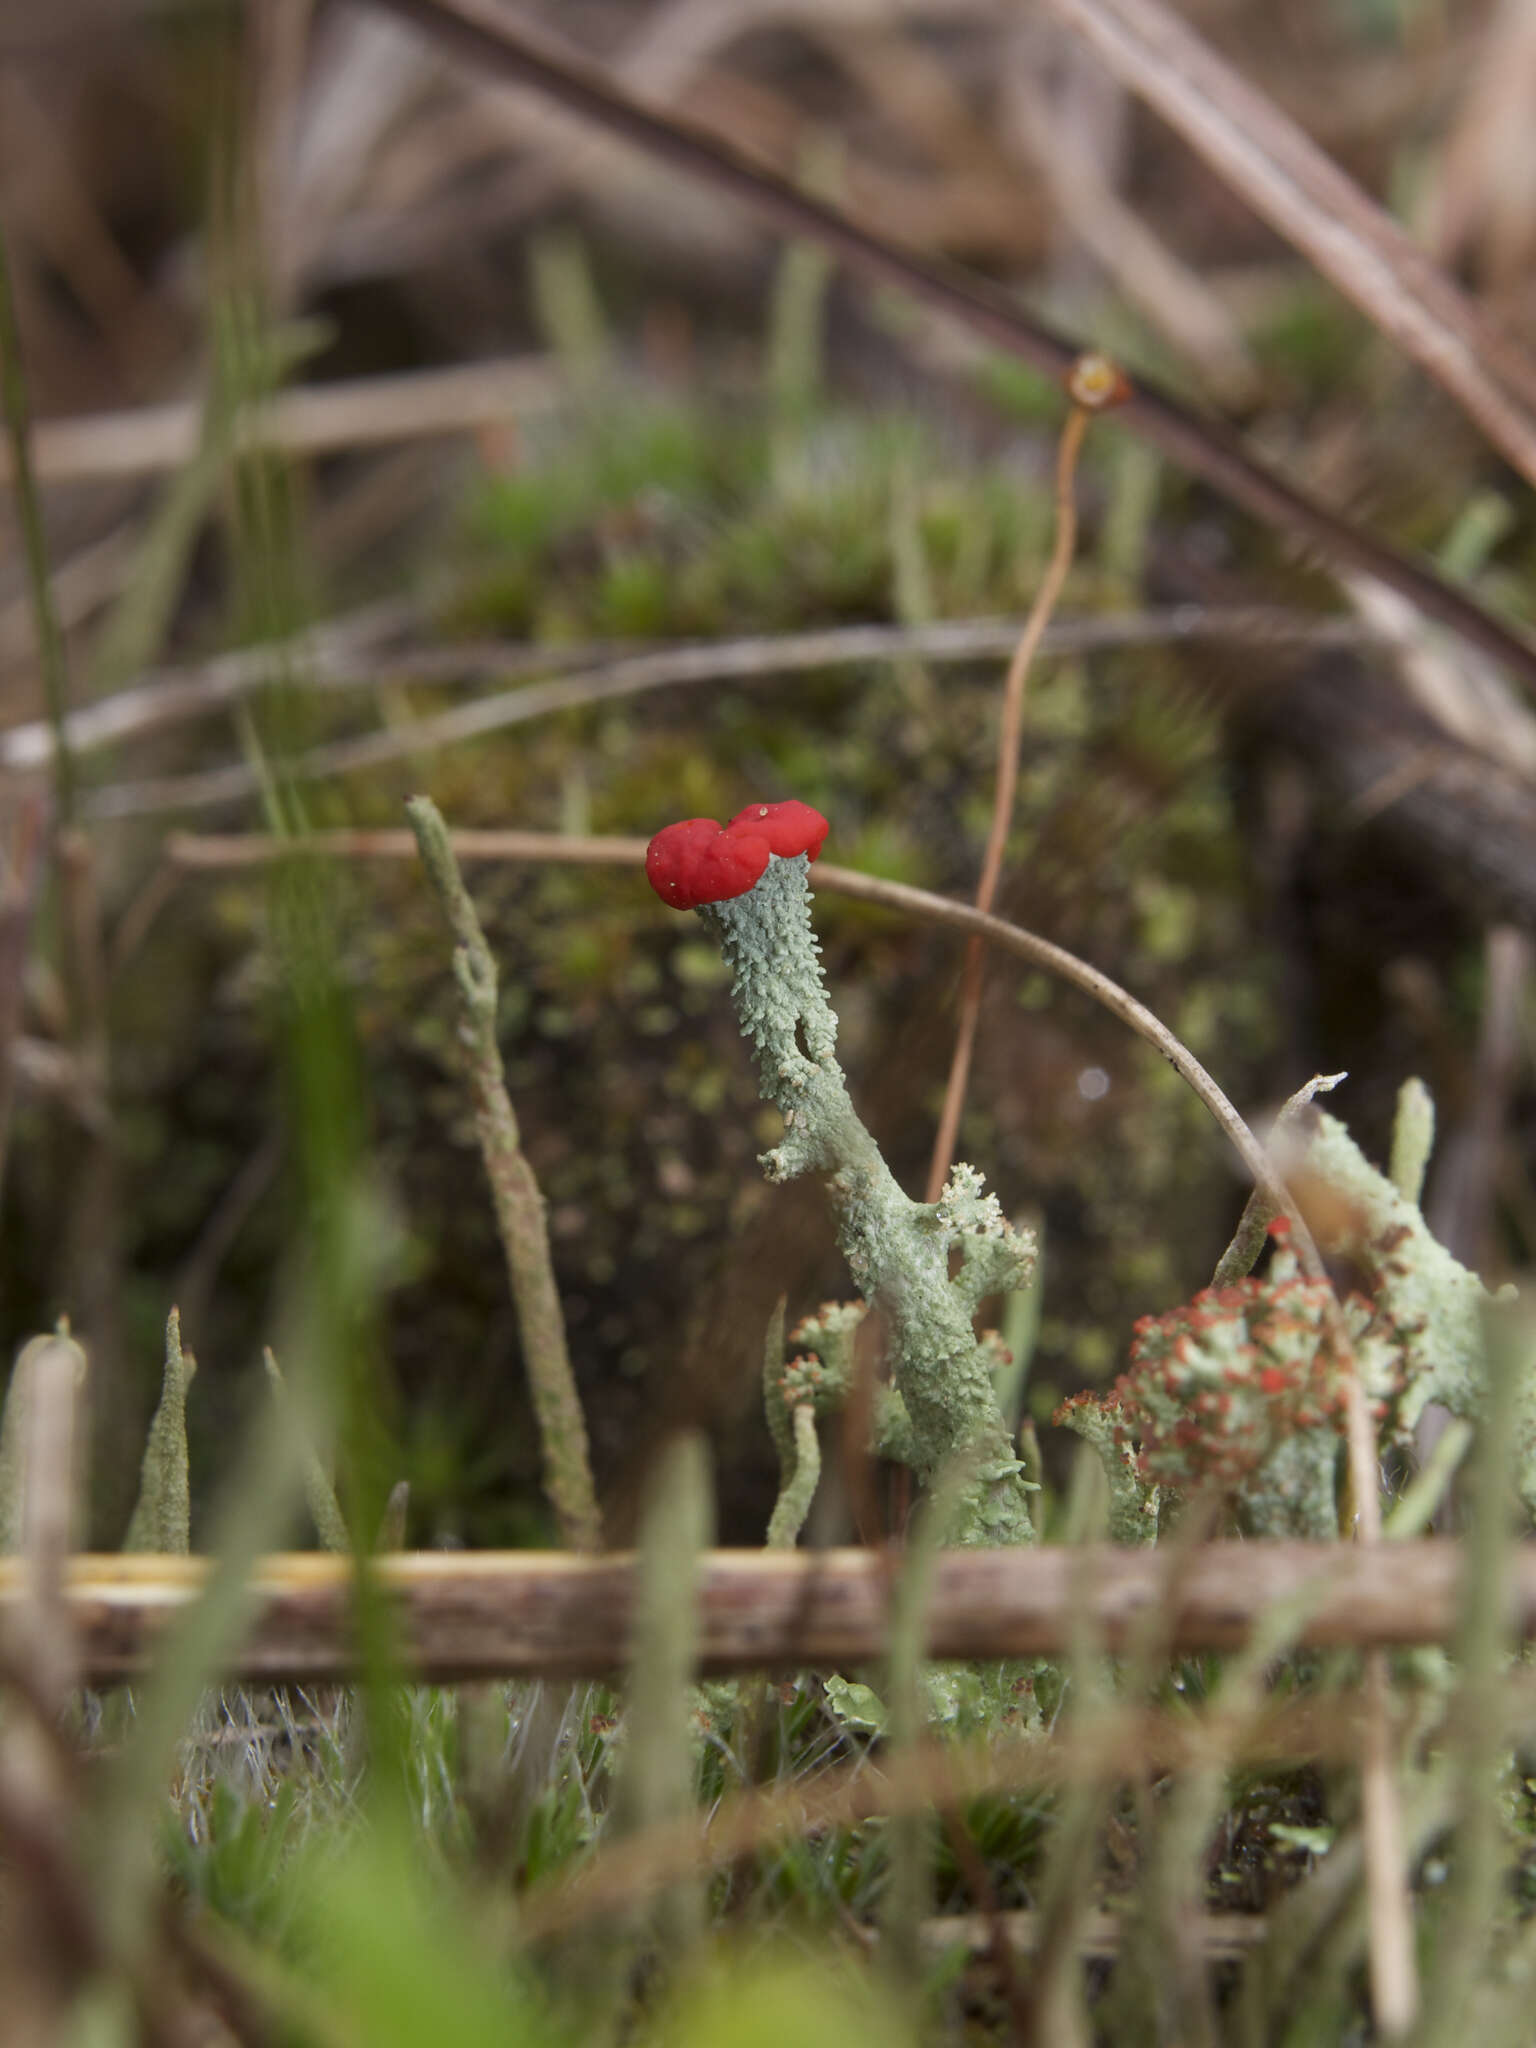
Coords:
pixel 898 1250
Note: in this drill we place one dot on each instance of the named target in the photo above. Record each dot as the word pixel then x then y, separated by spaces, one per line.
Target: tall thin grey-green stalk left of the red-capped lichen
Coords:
pixel 517 1197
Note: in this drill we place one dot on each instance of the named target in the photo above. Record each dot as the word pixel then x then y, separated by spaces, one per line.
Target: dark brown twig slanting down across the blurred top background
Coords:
pixel 495 44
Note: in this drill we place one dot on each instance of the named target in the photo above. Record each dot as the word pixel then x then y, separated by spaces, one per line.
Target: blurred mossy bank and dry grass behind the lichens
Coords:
pixel 550 404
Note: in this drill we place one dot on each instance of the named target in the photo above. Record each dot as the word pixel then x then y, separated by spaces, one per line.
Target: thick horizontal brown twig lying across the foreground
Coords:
pixel 525 1613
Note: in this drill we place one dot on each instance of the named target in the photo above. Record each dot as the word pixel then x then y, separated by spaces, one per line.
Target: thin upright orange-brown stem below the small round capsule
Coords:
pixel 1011 730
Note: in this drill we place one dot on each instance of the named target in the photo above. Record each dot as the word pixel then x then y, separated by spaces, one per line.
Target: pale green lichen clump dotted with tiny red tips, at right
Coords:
pixel 1242 1390
